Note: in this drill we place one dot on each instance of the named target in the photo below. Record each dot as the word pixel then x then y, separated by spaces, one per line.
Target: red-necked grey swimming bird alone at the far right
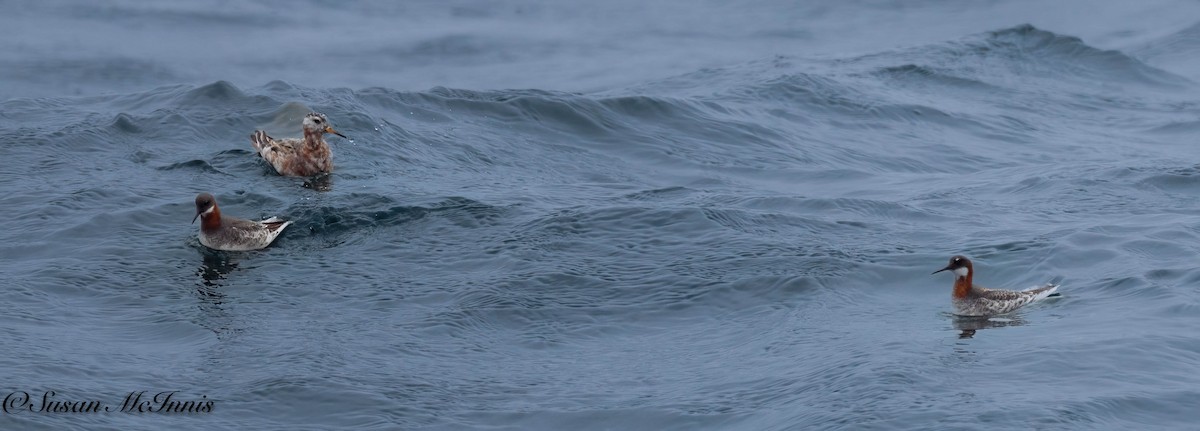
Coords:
pixel 973 300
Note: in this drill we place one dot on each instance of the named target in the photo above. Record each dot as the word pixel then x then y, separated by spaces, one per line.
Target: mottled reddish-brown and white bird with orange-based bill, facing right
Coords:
pixel 299 157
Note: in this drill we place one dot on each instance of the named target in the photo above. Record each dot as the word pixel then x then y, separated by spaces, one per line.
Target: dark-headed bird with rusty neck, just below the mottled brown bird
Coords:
pixel 233 234
